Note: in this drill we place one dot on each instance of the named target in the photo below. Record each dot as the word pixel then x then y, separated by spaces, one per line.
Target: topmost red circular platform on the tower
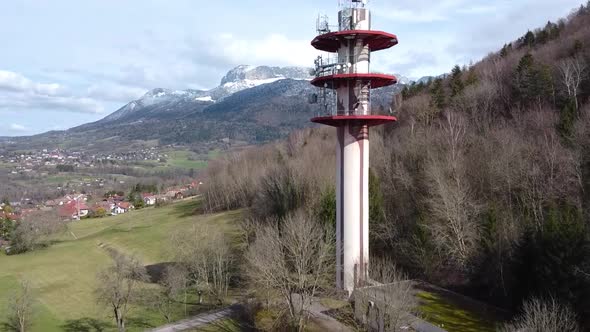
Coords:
pixel 377 40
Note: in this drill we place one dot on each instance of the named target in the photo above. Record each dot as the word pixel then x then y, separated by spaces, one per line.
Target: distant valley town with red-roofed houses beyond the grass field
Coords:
pixel 76 184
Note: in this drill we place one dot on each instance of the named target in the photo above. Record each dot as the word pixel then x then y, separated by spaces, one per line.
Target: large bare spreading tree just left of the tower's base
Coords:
pixel 294 261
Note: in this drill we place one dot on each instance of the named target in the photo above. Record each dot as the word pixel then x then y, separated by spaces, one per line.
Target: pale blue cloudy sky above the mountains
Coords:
pixel 68 62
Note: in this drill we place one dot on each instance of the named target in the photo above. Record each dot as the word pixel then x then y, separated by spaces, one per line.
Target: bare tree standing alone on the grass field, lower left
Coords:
pixel 118 285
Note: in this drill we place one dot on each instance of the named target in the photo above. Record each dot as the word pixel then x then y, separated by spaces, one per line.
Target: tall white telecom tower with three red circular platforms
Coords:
pixel 345 83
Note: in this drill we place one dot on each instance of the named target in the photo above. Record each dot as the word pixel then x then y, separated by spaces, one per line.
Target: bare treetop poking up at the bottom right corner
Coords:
pixel 546 316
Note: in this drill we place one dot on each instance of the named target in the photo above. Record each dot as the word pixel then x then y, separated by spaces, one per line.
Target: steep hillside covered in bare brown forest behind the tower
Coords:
pixel 482 187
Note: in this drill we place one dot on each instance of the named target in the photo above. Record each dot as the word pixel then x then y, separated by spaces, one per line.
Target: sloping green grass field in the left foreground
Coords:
pixel 63 276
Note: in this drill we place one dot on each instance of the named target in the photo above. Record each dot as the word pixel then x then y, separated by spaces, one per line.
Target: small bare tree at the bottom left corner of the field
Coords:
pixel 20 310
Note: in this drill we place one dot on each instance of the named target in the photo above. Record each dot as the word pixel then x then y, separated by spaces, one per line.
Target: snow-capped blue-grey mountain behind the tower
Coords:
pixel 251 104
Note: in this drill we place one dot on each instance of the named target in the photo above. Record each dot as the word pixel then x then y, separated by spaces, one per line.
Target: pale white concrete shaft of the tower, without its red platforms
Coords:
pixel 352 203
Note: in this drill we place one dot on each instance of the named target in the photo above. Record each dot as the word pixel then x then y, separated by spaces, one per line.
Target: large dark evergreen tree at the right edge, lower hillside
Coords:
pixel 550 258
